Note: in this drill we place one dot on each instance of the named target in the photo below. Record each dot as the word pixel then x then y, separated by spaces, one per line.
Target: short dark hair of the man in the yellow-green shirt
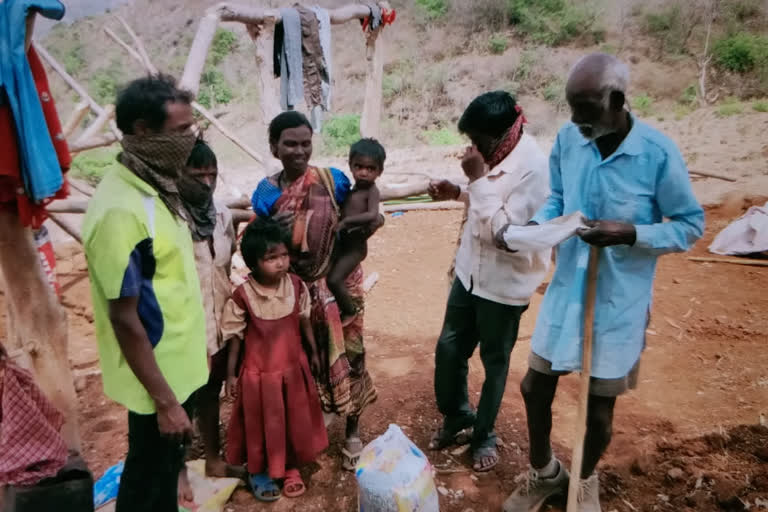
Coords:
pixel 145 99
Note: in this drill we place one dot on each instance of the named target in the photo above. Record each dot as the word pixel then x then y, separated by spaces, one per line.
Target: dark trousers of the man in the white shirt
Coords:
pixel 470 320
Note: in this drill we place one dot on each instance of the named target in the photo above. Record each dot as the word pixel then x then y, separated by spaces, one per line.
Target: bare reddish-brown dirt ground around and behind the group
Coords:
pixel 687 439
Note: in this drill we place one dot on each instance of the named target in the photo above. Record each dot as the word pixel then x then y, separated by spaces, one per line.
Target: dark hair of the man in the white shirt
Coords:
pixel 492 113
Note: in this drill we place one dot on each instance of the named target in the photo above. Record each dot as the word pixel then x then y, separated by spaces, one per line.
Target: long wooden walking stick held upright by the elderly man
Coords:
pixel 586 372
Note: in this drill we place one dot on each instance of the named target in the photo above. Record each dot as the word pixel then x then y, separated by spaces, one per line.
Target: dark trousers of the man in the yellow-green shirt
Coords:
pixel 150 478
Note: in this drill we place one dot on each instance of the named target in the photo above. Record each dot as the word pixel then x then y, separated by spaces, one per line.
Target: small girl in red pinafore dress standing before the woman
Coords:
pixel 277 423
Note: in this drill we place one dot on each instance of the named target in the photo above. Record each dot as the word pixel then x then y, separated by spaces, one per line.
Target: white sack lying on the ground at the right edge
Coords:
pixel 746 235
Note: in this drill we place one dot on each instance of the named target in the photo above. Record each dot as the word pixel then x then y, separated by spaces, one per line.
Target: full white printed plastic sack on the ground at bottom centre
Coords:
pixel 395 476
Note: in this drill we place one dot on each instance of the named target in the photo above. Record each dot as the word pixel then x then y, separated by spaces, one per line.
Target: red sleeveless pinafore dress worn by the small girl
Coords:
pixel 277 422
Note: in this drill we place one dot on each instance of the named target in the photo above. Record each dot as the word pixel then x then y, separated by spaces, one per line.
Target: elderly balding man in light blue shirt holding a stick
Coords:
pixel 628 178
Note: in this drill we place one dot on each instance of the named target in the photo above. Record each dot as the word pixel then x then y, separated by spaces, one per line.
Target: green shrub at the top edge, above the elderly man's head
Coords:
pixel 554 22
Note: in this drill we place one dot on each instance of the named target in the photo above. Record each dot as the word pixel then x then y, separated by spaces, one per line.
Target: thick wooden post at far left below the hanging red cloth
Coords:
pixel 38 330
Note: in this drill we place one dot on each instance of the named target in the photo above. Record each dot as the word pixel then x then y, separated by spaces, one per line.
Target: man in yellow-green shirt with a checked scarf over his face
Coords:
pixel 147 306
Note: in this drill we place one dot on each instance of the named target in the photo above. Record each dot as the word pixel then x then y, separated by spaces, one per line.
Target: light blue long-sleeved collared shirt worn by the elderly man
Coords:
pixel 643 183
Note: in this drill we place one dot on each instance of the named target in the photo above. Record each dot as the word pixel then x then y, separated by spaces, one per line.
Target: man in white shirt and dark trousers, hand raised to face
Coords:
pixel 508 182
